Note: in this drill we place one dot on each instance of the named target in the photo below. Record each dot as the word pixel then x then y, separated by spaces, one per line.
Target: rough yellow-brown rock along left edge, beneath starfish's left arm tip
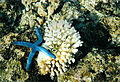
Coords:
pixel 10 66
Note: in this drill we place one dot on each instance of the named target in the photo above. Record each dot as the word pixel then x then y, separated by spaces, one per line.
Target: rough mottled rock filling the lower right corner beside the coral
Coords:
pixel 96 66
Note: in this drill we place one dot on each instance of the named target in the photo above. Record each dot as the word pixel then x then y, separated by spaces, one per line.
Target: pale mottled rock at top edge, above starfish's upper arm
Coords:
pixel 36 10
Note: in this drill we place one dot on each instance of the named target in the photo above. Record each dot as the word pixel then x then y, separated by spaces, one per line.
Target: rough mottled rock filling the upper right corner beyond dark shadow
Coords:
pixel 108 13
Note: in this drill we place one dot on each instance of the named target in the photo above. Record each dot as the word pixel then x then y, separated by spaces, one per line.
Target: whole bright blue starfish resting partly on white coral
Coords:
pixel 34 47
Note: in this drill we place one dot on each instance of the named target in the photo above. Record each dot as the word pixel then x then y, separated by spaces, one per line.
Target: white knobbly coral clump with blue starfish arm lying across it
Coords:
pixel 62 40
